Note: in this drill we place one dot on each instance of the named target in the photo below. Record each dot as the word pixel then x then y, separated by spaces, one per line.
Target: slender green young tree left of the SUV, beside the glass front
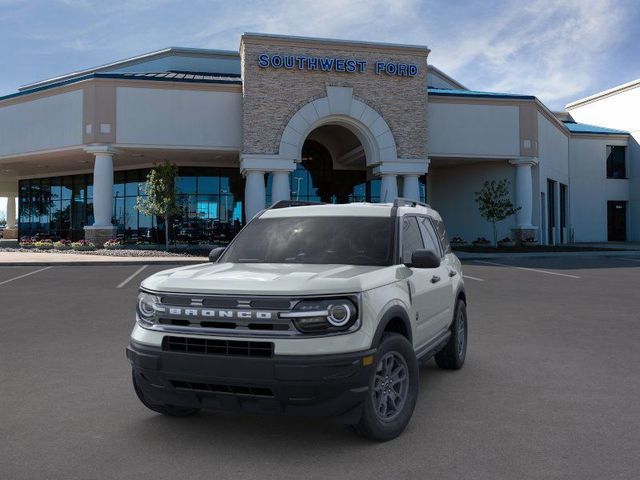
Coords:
pixel 161 195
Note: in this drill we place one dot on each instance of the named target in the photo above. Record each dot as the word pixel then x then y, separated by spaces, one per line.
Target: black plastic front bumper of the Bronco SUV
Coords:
pixel 318 385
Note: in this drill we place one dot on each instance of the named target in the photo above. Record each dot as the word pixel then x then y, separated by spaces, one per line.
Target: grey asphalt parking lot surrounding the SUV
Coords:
pixel 551 388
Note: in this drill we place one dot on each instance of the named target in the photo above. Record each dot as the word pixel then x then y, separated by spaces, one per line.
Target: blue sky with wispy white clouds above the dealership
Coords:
pixel 557 50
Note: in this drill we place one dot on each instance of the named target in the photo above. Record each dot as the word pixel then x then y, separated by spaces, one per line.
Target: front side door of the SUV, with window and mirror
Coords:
pixel 425 284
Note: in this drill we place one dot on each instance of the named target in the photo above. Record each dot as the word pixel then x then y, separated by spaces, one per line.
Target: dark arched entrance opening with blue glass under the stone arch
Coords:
pixel 333 168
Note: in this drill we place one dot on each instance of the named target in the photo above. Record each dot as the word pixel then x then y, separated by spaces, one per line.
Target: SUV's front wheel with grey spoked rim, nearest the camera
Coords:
pixel 393 390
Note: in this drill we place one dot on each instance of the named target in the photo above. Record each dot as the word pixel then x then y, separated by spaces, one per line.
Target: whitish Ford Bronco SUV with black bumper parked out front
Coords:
pixel 313 309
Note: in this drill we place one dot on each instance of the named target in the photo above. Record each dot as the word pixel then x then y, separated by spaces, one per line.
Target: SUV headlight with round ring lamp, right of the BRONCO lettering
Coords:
pixel 324 315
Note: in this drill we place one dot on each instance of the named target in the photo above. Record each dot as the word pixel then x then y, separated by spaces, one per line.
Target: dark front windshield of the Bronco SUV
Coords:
pixel 337 240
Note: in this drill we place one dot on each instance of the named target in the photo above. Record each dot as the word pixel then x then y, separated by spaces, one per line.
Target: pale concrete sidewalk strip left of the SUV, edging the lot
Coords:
pixel 37 259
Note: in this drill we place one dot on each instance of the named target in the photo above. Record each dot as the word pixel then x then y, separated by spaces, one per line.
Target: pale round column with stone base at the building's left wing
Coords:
pixel 102 228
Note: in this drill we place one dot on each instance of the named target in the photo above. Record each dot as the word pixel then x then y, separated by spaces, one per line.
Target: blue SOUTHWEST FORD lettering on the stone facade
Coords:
pixel 332 64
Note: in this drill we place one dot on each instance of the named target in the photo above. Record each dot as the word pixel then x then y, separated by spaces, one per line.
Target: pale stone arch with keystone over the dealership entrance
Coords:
pixel 340 108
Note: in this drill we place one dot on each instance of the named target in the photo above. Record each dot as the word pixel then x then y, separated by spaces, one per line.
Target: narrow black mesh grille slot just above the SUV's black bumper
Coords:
pixel 218 347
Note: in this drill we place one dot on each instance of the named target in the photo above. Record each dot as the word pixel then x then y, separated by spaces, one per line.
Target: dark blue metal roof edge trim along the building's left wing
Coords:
pixel 162 77
